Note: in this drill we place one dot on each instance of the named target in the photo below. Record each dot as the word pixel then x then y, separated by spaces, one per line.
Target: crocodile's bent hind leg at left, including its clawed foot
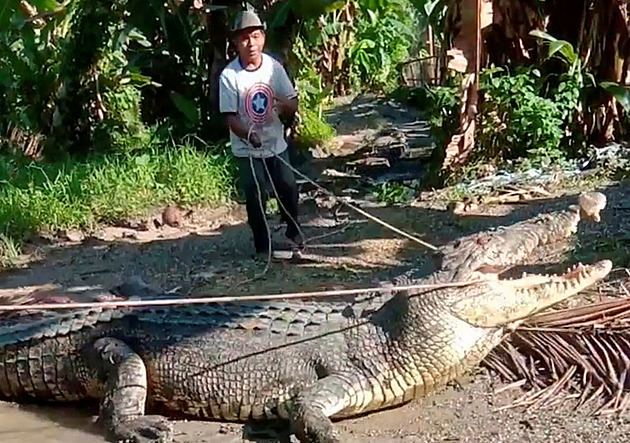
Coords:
pixel 125 392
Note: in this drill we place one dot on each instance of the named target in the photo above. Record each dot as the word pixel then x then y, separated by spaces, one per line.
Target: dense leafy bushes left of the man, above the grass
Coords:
pixel 101 75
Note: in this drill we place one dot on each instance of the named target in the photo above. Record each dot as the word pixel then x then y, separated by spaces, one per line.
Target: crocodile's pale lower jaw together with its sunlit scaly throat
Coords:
pixel 453 328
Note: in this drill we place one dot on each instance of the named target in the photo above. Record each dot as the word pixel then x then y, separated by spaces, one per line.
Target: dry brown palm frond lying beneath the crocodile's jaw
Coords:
pixel 581 353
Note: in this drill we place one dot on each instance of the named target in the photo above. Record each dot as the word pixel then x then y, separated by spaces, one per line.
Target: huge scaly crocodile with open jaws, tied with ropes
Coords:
pixel 302 362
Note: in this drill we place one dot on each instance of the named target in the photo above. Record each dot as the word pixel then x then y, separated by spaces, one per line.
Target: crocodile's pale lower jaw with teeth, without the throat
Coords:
pixel 497 303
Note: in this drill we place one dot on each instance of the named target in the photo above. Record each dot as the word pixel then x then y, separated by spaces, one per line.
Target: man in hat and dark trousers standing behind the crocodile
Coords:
pixel 255 93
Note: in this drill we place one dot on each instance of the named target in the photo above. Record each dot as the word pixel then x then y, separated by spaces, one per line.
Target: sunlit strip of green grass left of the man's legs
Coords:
pixel 71 194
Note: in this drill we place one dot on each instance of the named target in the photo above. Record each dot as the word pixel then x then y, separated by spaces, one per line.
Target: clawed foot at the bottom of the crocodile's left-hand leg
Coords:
pixel 143 429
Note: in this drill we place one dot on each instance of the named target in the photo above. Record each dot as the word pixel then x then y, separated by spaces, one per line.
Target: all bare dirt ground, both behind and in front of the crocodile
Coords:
pixel 211 255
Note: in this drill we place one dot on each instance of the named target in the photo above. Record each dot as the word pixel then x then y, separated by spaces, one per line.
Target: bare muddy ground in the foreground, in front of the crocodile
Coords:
pixel 468 412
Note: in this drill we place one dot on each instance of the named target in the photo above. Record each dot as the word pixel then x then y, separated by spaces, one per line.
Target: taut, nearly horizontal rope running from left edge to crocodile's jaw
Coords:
pixel 229 299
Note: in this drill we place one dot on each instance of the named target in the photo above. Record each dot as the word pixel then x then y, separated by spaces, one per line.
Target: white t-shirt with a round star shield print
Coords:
pixel 251 95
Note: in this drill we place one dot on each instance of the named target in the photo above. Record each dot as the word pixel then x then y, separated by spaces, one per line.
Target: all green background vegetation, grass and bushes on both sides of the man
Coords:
pixel 92 89
